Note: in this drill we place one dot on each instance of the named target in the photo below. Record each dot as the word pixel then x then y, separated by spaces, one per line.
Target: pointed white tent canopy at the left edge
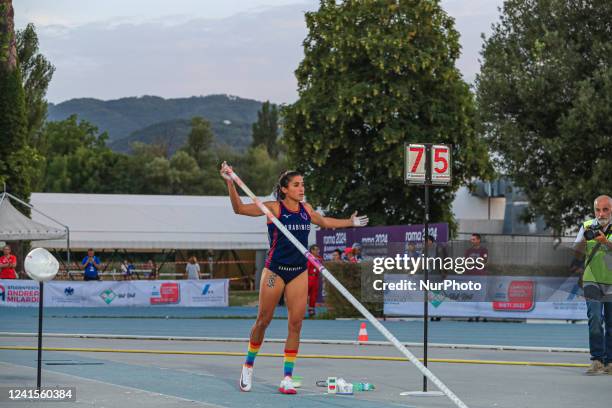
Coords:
pixel 14 226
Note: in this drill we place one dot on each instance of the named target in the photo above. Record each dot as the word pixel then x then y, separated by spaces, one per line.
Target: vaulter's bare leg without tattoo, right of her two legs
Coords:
pixel 296 294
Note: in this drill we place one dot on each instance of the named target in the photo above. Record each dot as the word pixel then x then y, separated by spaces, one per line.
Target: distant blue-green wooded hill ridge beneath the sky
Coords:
pixel 153 119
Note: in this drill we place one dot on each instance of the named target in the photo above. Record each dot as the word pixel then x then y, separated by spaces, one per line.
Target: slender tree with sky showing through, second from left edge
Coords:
pixel 37 72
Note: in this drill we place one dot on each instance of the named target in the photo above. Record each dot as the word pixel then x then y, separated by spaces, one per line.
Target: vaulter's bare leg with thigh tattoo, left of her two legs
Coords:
pixel 270 290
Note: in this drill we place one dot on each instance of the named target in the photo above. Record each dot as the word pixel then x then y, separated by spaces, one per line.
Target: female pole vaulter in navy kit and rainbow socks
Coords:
pixel 285 267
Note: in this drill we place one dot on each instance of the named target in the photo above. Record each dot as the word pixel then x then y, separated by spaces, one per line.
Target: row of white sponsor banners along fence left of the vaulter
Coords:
pixel 188 293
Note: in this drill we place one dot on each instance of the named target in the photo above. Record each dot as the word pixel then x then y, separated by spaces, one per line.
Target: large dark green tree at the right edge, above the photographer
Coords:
pixel 544 94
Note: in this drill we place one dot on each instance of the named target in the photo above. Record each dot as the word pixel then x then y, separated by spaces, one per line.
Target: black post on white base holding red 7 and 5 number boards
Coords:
pixel 428 165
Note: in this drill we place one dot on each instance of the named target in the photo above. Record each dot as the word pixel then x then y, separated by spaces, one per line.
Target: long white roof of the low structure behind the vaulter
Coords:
pixel 151 222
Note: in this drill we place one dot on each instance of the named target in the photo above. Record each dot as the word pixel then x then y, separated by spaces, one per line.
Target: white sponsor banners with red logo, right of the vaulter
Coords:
pixel 507 297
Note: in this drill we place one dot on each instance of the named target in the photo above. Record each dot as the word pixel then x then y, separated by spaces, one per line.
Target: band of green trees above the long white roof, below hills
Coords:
pixel 79 161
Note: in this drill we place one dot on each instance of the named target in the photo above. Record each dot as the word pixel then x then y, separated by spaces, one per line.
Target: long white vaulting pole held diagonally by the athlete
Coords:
pixel 382 329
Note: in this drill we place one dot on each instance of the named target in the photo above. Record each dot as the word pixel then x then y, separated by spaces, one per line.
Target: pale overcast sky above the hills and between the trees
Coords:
pixel 109 49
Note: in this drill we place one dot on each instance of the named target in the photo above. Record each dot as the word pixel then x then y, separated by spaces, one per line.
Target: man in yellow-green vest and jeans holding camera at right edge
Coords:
pixel 594 240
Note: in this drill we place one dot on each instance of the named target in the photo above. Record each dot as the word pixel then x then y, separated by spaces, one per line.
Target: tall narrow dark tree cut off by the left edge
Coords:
pixel 18 161
